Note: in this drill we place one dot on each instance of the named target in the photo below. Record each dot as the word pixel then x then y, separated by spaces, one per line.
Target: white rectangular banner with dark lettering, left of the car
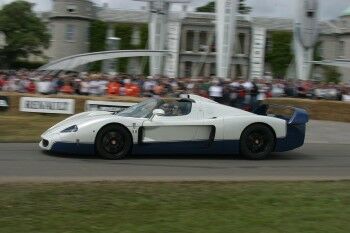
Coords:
pixel 47 105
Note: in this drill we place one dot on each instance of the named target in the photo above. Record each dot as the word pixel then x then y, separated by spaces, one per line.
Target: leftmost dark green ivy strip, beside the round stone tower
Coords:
pixel 98 31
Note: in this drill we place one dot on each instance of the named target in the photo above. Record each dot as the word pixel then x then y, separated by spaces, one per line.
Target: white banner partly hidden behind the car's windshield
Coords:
pixel 108 106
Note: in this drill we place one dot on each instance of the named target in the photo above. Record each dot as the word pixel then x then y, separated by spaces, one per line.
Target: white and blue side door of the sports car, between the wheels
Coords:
pixel 181 133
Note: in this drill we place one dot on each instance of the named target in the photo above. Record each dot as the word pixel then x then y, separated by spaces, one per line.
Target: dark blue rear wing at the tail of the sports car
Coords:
pixel 298 116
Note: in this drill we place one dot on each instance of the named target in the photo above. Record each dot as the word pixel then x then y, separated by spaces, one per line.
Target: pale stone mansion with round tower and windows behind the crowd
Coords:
pixel 191 37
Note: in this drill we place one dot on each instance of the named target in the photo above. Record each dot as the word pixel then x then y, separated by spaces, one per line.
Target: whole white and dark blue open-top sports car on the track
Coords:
pixel 193 125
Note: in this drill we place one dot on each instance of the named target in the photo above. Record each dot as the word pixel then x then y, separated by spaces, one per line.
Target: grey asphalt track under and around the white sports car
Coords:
pixel 325 156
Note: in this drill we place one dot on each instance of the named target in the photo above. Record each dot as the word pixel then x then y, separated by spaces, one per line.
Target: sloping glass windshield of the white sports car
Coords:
pixel 141 110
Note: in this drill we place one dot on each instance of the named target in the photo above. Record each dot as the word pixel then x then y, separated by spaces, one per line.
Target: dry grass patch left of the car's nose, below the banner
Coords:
pixel 25 127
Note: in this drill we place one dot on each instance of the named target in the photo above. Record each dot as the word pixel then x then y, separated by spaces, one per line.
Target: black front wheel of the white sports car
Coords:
pixel 113 142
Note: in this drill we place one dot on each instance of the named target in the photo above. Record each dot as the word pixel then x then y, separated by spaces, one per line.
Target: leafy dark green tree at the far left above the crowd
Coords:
pixel 25 33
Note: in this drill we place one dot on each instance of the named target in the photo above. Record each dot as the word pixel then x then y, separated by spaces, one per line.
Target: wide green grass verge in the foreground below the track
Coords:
pixel 298 207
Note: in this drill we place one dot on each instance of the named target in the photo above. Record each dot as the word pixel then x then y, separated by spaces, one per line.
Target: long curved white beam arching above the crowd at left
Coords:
pixel 72 62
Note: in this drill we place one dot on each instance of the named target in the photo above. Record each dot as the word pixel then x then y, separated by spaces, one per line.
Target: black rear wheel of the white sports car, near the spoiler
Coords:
pixel 257 142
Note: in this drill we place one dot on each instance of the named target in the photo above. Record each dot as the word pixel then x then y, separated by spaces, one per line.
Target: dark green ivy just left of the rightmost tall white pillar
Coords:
pixel 280 55
